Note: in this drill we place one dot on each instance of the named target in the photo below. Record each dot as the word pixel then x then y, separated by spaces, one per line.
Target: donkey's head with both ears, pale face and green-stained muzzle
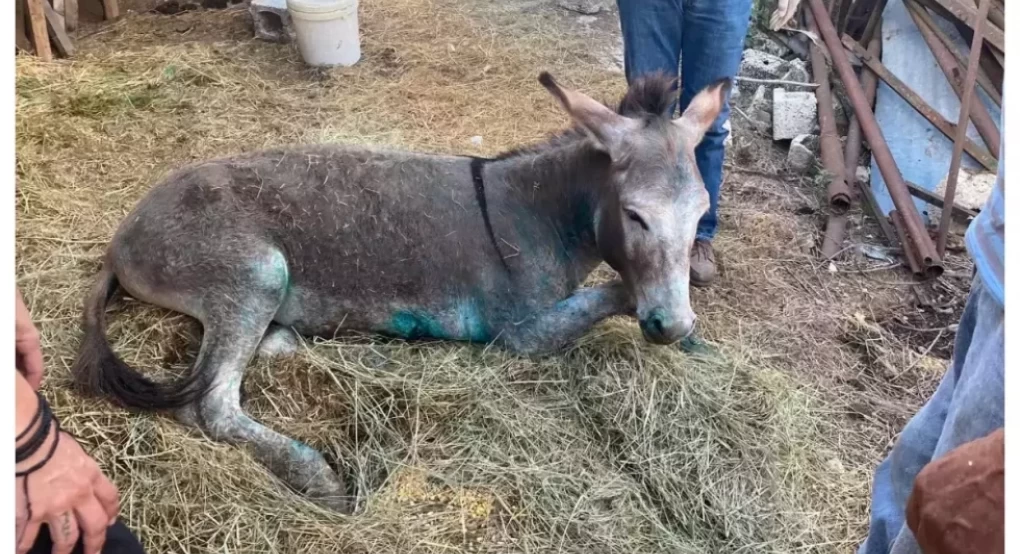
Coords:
pixel 647 213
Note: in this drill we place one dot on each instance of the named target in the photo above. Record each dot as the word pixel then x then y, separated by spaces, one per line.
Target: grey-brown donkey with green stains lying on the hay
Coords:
pixel 317 240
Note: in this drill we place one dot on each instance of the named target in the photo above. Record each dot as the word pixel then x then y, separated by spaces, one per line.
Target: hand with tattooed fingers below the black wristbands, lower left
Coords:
pixel 70 494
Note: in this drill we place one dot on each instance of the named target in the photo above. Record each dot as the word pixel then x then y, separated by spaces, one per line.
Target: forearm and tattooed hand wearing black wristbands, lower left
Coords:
pixel 64 487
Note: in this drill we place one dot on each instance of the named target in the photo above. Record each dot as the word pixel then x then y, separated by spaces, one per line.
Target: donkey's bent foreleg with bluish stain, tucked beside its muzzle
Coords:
pixel 569 320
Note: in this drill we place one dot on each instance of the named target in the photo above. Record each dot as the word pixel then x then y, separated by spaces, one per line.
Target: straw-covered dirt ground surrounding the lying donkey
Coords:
pixel 616 446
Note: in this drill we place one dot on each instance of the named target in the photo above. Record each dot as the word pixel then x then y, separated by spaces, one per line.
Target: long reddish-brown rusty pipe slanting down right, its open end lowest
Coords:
pixel 880 148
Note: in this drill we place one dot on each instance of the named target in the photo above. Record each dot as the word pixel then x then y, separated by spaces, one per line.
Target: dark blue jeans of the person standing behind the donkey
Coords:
pixel 710 35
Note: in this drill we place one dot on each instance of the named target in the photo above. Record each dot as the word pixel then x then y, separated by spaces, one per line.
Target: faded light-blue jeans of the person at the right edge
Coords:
pixel 967 406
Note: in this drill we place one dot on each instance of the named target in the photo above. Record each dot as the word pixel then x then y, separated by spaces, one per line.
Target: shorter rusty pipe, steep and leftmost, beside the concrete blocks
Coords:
pixel 839 192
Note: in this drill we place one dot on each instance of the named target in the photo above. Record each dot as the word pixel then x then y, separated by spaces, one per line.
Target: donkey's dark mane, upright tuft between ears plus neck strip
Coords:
pixel 648 98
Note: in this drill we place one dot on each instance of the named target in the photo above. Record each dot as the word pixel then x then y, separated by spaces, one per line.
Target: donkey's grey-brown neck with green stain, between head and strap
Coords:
pixel 559 183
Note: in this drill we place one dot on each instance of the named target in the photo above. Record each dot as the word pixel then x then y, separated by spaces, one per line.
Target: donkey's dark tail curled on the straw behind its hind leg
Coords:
pixel 98 371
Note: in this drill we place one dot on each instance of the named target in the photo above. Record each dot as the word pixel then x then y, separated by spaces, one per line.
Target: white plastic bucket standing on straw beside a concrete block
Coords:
pixel 327 31
